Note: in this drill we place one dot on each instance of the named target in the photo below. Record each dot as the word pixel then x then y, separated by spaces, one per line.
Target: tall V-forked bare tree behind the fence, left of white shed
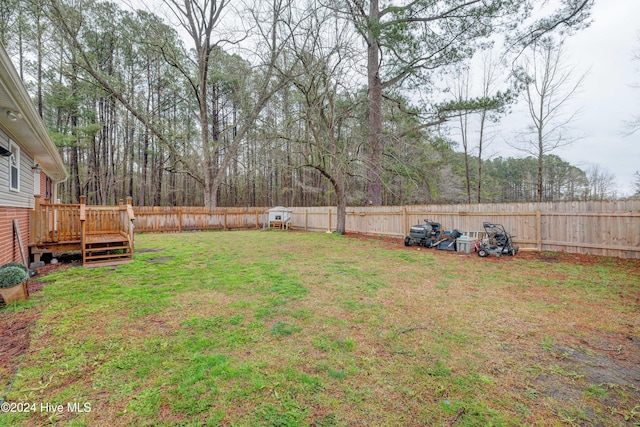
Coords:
pixel 200 20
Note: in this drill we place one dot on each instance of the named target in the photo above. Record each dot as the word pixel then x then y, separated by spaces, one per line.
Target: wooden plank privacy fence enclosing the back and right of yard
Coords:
pixel 598 228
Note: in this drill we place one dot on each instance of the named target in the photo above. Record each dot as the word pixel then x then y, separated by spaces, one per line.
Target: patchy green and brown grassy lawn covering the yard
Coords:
pixel 251 328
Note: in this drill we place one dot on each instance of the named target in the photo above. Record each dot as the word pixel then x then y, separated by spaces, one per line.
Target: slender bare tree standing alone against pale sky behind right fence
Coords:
pixel 548 86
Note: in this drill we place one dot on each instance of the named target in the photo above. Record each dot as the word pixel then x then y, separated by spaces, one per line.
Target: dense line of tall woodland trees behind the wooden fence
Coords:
pixel 298 103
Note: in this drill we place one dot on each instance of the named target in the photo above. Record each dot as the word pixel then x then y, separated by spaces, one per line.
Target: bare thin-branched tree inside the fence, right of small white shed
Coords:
pixel 322 76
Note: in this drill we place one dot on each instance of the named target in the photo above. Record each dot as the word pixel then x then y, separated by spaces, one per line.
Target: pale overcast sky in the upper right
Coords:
pixel 607 97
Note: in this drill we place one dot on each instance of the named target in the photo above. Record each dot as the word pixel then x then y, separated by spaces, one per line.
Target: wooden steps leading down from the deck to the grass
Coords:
pixel 101 249
